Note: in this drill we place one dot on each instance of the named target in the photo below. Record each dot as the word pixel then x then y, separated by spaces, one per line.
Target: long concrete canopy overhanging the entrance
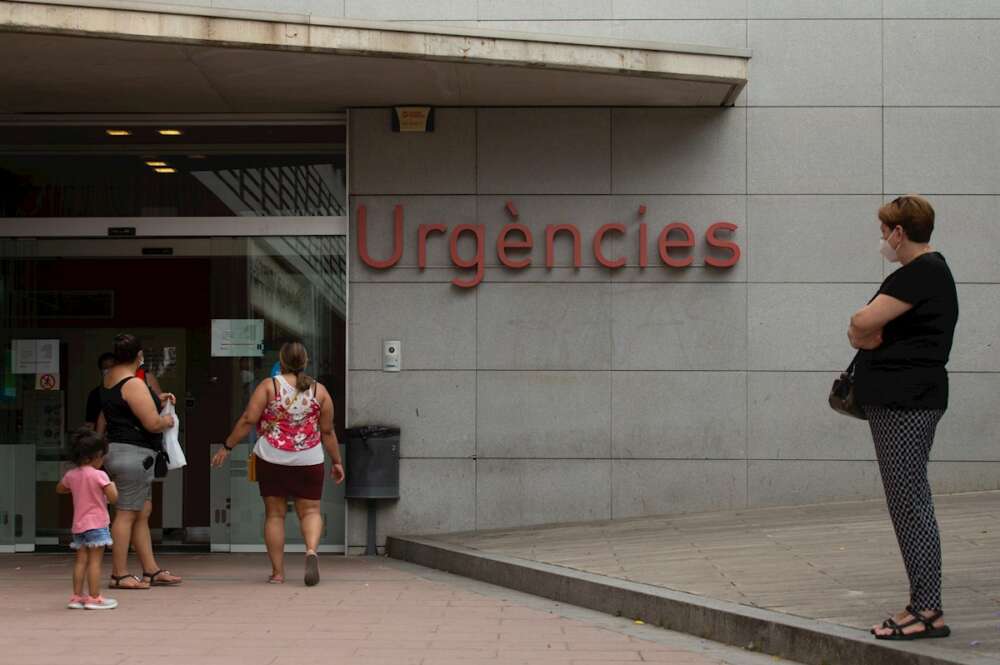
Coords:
pixel 61 57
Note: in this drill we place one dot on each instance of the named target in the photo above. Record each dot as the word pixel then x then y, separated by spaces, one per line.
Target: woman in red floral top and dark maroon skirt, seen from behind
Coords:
pixel 294 415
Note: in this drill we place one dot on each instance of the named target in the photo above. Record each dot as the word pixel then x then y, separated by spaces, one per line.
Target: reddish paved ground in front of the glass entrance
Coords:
pixel 364 612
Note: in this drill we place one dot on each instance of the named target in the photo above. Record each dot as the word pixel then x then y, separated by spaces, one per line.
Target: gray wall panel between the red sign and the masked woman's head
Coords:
pixel 814 239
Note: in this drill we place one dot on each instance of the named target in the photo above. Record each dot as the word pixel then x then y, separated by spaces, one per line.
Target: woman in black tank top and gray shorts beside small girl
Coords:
pixel 130 415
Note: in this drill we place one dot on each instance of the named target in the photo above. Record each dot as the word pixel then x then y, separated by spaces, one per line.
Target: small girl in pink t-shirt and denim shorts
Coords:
pixel 91 490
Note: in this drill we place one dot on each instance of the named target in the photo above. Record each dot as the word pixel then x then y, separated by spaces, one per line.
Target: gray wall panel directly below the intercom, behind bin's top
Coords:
pixel 435 410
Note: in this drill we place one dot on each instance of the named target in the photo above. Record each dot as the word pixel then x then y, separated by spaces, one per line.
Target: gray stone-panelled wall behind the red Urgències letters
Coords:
pixel 577 394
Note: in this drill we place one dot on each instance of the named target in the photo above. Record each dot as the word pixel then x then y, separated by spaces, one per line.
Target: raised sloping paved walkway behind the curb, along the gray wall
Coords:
pixel 835 562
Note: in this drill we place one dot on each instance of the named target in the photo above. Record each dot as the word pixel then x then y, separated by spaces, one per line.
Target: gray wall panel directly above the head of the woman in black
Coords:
pixel 942 150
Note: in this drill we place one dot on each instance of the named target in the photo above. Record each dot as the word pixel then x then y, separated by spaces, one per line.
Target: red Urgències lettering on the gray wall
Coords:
pixel 674 243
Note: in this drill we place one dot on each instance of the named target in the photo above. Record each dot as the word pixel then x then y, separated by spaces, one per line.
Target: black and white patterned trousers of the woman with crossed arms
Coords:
pixel 903 440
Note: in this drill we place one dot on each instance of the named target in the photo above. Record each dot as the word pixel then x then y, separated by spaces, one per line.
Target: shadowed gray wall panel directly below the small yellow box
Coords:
pixel 438 162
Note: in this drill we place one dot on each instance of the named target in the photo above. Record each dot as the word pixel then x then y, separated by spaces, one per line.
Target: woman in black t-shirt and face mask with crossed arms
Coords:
pixel 905 334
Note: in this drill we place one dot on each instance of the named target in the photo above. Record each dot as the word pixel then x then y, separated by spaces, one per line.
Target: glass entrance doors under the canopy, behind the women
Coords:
pixel 212 312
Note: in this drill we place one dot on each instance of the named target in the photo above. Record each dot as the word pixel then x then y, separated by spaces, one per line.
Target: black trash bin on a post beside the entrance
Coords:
pixel 372 469
